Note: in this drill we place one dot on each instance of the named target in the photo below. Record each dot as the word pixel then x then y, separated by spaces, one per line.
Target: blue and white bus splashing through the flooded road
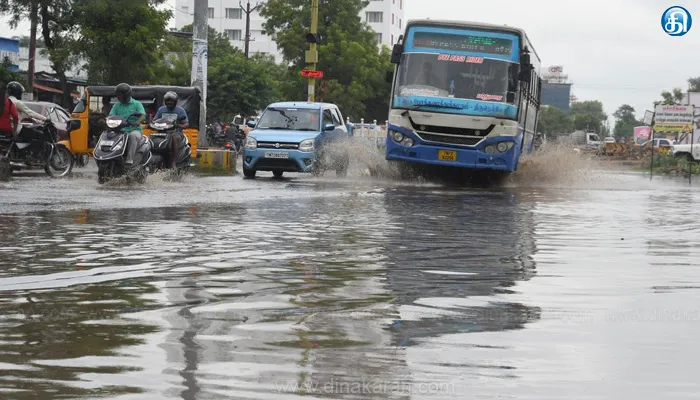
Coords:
pixel 464 95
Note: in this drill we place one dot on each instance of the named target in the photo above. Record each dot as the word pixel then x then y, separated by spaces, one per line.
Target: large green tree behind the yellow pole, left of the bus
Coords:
pixel 354 67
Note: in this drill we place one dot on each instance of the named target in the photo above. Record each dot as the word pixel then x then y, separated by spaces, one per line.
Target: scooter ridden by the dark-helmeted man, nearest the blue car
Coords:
pixel 161 147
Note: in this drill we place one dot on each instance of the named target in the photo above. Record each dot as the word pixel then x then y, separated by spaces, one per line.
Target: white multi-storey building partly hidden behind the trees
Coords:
pixel 386 17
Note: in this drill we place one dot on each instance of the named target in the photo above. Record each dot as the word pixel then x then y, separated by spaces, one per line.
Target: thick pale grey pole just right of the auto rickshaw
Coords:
pixel 199 63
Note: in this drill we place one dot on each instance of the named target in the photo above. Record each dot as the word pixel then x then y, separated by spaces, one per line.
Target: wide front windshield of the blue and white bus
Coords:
pixel 456 76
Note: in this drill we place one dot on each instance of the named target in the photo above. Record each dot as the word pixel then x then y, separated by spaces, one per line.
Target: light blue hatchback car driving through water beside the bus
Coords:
pixel 297 137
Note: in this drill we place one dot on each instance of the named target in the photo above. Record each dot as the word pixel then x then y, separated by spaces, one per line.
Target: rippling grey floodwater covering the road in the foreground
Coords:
pixel 580 285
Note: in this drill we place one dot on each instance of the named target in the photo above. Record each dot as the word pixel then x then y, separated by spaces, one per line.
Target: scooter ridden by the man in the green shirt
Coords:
pixel 110 152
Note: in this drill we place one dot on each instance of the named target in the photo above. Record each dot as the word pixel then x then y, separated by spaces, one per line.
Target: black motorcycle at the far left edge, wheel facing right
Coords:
pixel 35 146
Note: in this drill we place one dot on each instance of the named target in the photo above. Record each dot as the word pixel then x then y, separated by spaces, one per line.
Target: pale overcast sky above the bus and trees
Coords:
pixel 614 51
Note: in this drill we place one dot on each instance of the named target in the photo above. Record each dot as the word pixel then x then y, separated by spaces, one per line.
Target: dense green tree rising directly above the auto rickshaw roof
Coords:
pixel 119 39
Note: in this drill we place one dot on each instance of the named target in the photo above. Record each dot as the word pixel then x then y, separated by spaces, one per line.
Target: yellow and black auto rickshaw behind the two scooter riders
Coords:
pixel 93 108
